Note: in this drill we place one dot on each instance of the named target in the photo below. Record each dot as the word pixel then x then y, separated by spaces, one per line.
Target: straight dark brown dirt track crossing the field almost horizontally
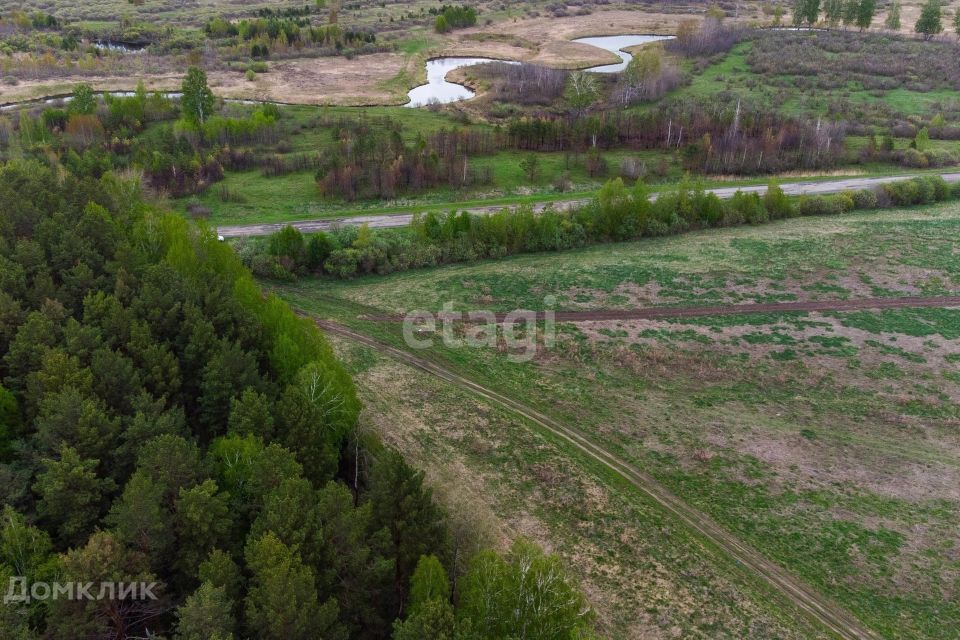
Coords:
pixel 654 313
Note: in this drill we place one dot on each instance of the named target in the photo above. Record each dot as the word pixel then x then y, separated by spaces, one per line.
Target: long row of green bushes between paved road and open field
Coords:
pixel 617 214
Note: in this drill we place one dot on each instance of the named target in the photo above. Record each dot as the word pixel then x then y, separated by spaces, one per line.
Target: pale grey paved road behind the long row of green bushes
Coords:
pixel 401 219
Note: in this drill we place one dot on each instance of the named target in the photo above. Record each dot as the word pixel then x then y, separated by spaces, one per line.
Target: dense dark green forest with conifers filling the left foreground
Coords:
pixel 163 422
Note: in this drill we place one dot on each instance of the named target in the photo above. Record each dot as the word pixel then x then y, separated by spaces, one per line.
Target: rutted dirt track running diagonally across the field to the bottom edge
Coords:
pixel 817 607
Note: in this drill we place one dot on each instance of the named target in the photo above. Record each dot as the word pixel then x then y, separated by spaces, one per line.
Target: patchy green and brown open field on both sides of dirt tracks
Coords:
pixel 827 441
